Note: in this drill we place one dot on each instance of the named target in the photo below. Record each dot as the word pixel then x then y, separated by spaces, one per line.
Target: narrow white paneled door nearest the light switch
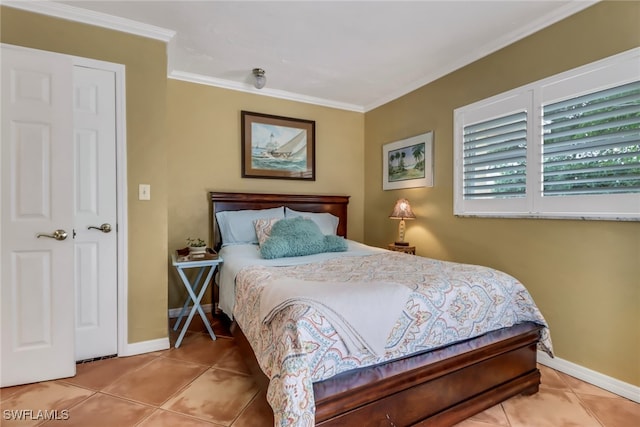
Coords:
pixel 95 213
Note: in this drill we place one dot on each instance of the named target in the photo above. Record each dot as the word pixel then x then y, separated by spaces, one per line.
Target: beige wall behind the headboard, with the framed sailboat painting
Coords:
pixel 203 133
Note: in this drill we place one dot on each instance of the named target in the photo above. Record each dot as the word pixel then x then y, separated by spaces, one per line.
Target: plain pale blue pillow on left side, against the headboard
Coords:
pixel 237 227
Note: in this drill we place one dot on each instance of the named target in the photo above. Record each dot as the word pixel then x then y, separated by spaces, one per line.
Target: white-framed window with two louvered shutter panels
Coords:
pixel 564 147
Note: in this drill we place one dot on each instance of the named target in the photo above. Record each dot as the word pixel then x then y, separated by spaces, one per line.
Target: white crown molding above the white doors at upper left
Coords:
pixel 64 11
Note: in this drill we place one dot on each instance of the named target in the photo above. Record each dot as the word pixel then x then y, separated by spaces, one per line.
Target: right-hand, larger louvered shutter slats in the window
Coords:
pixel 591 143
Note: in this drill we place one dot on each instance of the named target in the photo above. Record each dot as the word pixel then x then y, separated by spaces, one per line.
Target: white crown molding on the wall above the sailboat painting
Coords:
pixel 243 87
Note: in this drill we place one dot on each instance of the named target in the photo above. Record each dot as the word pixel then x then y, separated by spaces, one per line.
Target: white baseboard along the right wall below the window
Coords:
pixel 613 385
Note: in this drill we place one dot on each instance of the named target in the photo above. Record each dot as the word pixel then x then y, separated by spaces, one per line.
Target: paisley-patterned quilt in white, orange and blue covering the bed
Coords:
pixel 448 302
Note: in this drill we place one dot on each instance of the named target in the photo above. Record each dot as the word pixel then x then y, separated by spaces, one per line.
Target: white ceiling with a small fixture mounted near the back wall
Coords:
pixel 354 55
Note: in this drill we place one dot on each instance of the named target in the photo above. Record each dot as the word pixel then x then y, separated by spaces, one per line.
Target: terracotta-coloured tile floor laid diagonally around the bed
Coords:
pixel 204 383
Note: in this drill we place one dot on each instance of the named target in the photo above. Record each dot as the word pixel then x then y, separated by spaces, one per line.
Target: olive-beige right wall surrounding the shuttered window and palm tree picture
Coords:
pixel 584 275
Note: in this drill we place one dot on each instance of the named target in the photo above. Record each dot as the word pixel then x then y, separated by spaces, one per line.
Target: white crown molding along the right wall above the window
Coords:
pixel 534 26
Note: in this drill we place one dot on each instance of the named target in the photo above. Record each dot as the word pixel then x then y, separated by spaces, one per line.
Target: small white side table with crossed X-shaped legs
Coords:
pixel 197 286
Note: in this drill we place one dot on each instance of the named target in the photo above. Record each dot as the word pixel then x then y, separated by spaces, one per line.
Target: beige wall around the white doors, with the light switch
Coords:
pixel 146 72
